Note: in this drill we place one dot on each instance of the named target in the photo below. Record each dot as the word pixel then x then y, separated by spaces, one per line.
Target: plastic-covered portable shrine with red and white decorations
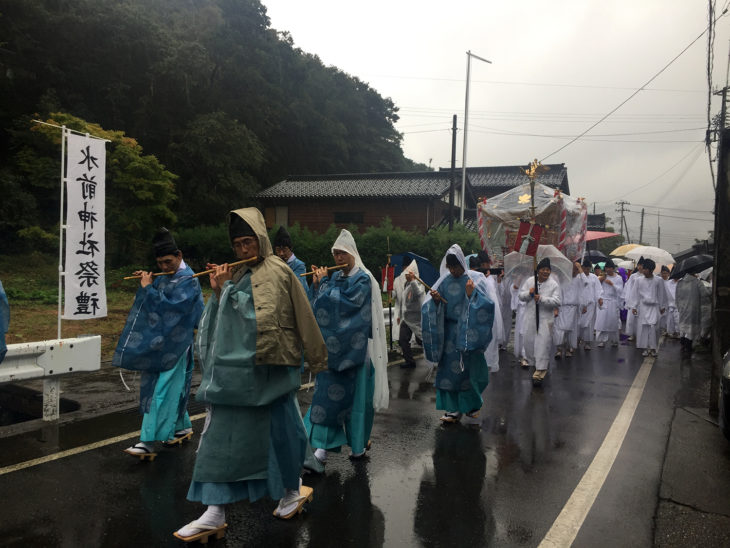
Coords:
pixel 505 220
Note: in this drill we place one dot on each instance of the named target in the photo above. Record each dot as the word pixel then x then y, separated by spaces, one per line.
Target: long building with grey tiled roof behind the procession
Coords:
pixel 413 201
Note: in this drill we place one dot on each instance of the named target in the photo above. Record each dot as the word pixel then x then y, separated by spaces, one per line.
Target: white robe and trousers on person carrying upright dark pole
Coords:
pixel 539 341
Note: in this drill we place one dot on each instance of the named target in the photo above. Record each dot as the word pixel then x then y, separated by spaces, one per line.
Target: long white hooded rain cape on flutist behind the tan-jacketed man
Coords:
pixel 377 346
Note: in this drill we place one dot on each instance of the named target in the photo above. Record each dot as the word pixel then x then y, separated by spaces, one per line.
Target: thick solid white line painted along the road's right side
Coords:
pixel 571 518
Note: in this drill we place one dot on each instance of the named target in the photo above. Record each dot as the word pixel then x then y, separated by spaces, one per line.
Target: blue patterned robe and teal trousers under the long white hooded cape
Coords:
pixel 342 405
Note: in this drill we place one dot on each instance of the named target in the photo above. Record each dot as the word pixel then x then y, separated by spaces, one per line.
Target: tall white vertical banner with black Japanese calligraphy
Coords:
pixel 85 287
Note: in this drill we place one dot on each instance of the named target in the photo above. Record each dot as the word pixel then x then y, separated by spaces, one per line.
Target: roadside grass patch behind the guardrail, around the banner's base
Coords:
pixel 31 284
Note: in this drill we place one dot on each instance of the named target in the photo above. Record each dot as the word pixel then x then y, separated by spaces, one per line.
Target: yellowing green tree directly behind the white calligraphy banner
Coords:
pixel 139 190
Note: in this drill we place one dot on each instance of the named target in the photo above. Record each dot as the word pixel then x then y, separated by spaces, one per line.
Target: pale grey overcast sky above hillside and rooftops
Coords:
pixel 557 68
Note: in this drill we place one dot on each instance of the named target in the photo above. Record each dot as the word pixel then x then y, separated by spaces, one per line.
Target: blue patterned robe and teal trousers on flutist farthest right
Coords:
pixel 455 335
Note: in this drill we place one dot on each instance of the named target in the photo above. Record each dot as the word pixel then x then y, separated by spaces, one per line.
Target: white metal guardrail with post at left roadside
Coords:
pixel 49 360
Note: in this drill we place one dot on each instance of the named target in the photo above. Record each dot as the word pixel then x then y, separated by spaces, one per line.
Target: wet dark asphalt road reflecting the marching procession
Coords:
pixel 500 481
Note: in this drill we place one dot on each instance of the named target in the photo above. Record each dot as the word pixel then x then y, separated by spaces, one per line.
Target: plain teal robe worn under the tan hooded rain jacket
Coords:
pixel 254 442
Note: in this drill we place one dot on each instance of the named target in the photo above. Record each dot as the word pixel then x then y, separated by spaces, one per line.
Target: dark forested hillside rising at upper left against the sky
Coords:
pixel 228 103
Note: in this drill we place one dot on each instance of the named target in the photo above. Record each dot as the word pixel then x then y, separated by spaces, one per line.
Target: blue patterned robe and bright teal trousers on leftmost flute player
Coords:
pixel 158 341
